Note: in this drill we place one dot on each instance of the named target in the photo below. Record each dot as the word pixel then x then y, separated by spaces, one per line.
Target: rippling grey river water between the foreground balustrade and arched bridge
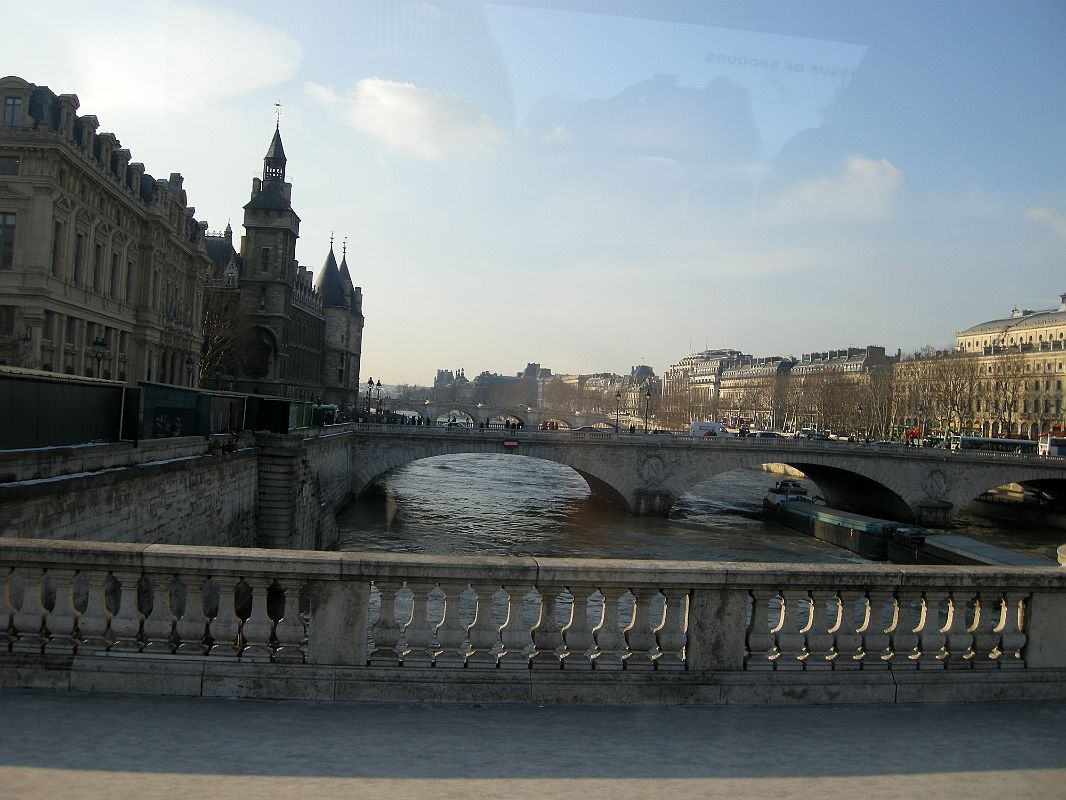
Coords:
pixel 509 506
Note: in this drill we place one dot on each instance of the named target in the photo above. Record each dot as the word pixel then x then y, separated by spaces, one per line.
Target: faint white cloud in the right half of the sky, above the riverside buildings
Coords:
pixel 863 190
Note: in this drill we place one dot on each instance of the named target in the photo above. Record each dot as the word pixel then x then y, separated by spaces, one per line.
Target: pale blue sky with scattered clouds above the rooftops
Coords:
pixel 593 186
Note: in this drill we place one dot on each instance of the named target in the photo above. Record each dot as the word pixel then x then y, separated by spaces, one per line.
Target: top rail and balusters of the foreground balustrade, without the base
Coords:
pixel 402 613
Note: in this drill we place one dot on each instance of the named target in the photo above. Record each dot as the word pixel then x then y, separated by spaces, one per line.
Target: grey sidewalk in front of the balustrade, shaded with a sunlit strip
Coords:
pixel 100 746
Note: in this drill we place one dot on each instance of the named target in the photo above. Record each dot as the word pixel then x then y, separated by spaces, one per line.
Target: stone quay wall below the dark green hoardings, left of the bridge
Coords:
pixel 260 490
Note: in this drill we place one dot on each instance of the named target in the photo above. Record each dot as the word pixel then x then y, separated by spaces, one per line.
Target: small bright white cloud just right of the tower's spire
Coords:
pixel 407 118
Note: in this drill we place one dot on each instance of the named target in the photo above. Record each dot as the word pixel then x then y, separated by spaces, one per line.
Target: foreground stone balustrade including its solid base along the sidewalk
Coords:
pixel 270 623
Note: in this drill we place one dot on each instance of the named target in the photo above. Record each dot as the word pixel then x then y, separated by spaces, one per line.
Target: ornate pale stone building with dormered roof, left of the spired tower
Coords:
pixel 103 267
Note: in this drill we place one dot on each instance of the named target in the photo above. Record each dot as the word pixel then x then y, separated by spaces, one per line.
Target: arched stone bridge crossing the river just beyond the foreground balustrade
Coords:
pixel 647 474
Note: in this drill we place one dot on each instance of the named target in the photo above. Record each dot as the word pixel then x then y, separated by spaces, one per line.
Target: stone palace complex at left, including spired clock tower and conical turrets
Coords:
pixel 106 273
